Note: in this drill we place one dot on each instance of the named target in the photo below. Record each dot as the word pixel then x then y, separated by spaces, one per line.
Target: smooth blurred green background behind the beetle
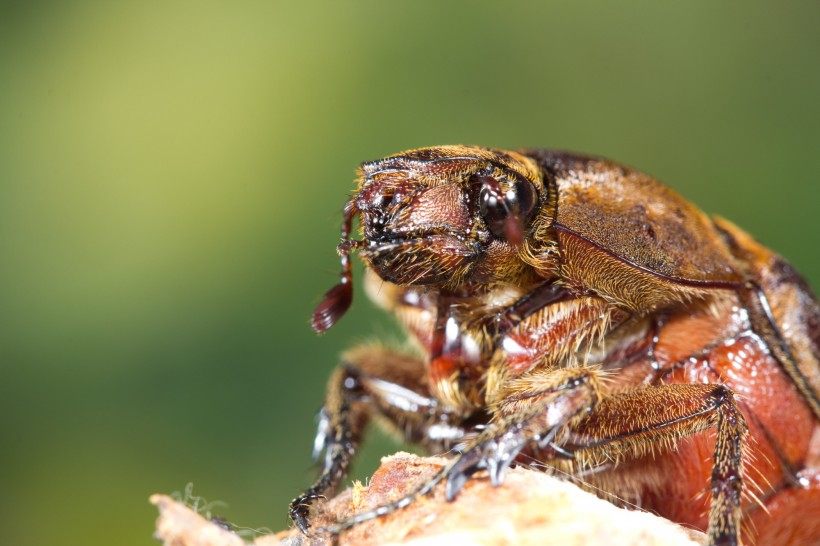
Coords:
pixel 171 176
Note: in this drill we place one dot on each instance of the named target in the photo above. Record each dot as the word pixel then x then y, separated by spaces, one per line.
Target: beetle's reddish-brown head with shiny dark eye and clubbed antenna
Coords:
pixel 441 216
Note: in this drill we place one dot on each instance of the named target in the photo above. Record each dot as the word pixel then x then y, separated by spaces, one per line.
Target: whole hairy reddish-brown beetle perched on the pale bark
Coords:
pixel 576 312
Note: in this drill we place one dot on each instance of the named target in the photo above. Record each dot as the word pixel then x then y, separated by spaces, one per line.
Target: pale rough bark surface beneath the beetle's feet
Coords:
pixel 531 508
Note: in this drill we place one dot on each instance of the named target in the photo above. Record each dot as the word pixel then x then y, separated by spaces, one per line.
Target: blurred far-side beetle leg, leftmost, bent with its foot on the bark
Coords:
pixel 371 380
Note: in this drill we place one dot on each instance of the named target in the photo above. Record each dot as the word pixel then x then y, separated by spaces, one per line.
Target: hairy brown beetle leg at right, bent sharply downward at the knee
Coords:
pixel 627 424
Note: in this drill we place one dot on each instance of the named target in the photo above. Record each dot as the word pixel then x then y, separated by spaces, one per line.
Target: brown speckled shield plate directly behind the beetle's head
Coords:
pixel 634 218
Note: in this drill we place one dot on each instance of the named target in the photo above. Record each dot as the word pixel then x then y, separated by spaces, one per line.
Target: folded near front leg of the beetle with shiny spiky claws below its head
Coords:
pixel 525 384
